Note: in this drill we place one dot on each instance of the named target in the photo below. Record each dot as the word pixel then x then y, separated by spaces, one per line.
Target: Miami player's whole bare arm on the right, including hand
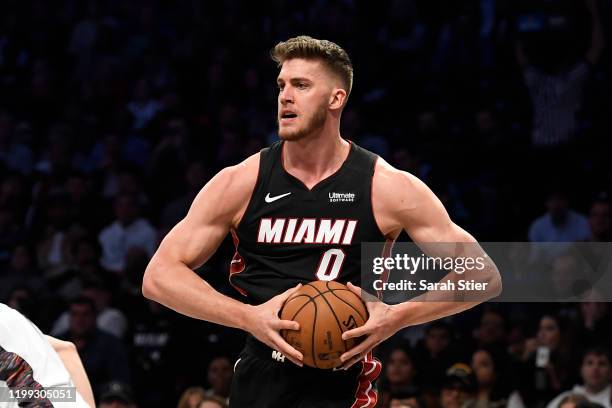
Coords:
pixel 402 202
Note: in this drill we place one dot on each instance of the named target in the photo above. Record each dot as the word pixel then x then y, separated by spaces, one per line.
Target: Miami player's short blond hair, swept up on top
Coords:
pixel 331 54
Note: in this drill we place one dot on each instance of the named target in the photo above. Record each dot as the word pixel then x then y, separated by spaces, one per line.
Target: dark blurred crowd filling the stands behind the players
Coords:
pixel 114 114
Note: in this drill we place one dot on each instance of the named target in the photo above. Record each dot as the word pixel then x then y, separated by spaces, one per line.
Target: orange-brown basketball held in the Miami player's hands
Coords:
pixel 324 310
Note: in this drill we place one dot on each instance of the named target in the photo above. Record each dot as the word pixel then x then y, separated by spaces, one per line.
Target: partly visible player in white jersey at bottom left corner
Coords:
pixel 31 360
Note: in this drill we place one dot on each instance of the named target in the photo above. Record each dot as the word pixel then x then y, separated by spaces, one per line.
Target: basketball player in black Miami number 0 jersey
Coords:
pixel 298 212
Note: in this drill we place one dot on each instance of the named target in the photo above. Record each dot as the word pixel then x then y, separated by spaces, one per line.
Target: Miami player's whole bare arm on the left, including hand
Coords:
pixel 170 280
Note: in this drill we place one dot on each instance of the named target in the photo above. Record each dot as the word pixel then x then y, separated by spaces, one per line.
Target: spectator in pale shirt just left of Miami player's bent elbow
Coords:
pixel 127 231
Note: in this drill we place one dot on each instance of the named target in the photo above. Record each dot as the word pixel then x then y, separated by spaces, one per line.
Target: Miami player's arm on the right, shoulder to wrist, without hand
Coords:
pixel 415 209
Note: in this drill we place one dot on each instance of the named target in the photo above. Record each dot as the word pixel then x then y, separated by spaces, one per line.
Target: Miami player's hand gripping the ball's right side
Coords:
pixel 382 324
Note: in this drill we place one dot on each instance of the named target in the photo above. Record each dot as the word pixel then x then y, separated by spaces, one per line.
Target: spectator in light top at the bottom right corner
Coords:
pixel 596 374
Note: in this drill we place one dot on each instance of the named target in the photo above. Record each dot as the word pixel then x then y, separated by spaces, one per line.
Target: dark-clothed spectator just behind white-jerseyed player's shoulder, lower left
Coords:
pixel 104 356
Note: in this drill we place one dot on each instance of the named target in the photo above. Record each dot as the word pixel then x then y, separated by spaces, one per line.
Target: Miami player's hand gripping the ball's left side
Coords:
pixel 266 326
